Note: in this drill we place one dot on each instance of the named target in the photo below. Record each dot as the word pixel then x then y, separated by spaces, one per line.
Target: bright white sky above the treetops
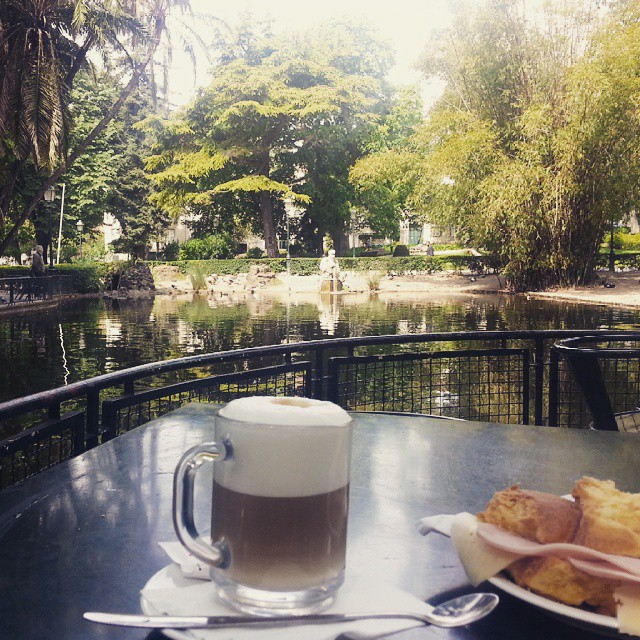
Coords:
pixel 407 24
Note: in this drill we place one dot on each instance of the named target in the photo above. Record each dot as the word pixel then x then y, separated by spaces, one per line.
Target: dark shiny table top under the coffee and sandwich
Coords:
pixel 84 535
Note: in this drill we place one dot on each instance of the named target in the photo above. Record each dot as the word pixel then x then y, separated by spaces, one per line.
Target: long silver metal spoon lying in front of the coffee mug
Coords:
pixel 453 613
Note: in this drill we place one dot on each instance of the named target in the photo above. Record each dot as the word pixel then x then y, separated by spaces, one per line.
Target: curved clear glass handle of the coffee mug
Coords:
pixel 183 486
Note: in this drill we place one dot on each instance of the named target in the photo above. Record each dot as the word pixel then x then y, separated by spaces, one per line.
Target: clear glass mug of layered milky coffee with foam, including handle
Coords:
pixel 279 503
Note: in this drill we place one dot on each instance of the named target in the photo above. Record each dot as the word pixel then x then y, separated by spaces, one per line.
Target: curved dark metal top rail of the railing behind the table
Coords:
pixel 44 399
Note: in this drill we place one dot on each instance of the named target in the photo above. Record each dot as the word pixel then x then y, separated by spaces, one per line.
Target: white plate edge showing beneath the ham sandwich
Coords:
pixel 586 620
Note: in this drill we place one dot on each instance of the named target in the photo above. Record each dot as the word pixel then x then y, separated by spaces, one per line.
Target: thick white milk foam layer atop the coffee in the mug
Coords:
pixel 284 447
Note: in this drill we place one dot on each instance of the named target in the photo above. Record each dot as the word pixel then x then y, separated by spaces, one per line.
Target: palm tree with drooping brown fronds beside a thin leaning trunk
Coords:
pixel 40 55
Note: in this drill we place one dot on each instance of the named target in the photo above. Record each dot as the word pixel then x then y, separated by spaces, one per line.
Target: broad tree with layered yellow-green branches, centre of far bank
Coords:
pixel 259 133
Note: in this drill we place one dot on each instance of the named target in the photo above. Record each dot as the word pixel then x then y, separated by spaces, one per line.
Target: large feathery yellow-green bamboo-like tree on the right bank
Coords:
pixel 531 150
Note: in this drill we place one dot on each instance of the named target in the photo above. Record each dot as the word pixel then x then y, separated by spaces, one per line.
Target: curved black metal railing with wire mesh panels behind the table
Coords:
pixel 493 376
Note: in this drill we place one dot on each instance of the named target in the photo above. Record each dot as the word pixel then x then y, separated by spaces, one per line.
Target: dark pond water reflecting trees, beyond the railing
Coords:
pixel 48 348
